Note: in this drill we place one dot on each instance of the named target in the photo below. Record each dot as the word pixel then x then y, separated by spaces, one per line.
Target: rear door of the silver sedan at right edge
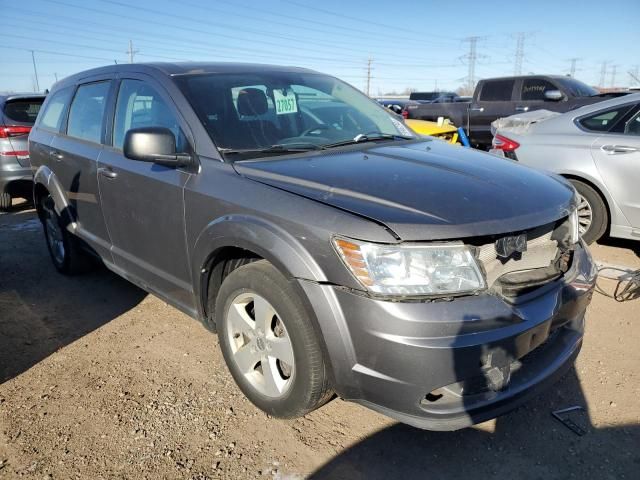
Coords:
pixel 617 157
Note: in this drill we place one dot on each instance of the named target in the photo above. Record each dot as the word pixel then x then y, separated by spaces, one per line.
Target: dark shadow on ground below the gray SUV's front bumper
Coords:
pixel 525 444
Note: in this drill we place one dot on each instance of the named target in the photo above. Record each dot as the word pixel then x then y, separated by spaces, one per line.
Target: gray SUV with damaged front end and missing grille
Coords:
pixel 333 251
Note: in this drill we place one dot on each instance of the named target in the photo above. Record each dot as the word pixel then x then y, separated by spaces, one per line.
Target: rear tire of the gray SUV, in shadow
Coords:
pixel 65 251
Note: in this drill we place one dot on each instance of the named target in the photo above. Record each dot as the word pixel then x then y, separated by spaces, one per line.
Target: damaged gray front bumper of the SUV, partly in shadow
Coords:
pixel 446 365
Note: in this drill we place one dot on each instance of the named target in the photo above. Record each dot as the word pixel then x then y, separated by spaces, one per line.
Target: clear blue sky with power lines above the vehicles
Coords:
pixel 418 44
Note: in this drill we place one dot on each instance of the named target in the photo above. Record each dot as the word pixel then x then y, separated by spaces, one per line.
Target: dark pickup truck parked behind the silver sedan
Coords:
pixel 501 97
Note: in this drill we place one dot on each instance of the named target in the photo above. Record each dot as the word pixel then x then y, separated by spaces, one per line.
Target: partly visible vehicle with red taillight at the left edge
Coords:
pixel 17 114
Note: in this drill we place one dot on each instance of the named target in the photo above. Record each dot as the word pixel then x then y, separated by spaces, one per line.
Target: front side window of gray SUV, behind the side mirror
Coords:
pixel 140 105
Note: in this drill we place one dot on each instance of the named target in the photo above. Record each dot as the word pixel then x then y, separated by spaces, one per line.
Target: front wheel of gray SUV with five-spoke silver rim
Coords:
pixel 302 386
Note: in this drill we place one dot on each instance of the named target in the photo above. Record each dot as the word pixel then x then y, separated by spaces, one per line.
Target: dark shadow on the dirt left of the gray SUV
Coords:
pixel 41 310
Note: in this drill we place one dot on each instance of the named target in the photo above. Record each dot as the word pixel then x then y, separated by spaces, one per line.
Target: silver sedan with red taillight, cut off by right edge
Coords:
pixel 597 148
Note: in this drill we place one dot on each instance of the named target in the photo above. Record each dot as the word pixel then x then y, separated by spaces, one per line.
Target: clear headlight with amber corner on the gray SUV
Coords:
pixel 436 269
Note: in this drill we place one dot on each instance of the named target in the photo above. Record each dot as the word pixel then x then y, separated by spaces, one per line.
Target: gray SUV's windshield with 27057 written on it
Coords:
pixel 254 111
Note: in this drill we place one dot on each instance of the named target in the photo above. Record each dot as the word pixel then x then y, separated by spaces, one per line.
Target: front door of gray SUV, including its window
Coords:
pixel 143 202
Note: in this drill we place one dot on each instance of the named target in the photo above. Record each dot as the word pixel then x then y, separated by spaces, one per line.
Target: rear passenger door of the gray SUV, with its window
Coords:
pixel 73 157
